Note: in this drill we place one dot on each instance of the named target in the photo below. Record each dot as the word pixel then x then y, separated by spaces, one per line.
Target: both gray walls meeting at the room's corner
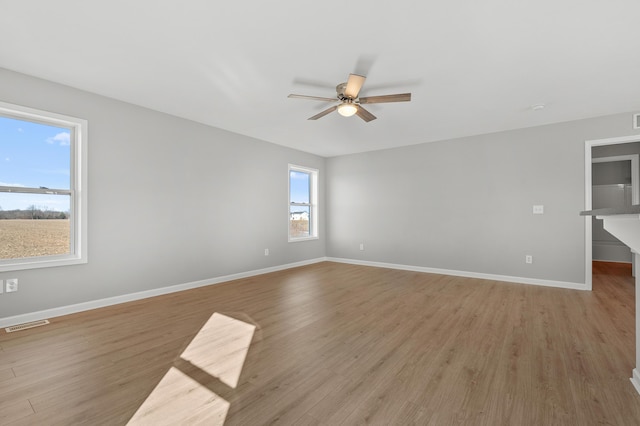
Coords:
pixel 172 201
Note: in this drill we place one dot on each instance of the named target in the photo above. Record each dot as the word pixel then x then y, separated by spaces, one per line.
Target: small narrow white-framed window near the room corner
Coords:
pixel 303 203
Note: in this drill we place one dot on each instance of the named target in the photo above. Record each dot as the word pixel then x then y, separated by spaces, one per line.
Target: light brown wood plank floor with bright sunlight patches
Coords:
pixel 335 344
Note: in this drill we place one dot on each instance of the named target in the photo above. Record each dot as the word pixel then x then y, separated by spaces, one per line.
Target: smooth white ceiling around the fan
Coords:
pixel 472 66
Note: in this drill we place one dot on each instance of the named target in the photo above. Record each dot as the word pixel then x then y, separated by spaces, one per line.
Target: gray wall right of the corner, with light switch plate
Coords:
pixel 466 204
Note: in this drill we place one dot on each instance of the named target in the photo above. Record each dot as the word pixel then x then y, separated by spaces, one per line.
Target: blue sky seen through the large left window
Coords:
pixel 34 155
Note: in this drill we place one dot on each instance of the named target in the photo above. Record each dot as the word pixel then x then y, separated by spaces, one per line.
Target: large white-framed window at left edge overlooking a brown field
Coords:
pixel 42 189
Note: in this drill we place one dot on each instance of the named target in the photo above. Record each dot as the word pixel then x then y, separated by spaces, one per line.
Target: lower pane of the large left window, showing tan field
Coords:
pixel 34 225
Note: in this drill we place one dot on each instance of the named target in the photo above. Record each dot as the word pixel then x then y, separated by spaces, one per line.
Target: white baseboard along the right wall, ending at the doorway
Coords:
pixel 466 274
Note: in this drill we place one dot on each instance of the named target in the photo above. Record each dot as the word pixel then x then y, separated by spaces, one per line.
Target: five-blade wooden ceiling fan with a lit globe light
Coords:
pixel 350 103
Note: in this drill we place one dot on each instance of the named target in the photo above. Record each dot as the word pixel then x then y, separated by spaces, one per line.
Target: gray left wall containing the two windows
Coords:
pixel 170 202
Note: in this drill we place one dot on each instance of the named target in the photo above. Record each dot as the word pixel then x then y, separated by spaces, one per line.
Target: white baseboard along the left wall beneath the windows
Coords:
pixel 95 304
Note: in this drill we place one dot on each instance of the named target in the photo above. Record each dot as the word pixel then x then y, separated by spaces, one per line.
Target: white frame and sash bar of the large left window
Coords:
pixel 77 191
